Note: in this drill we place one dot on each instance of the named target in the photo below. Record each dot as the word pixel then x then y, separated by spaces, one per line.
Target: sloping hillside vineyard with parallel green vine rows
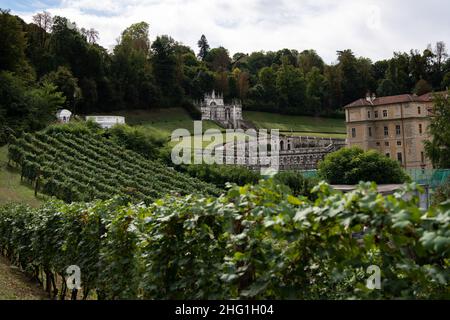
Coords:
pixel 82 167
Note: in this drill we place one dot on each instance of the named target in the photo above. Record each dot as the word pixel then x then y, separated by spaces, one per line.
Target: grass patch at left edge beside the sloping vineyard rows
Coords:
pixel 11 188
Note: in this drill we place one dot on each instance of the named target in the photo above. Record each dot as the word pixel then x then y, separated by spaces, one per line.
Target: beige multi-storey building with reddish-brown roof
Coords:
pixel 396 126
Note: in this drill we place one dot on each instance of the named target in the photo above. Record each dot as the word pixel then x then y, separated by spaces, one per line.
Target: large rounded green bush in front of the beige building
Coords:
pixel 352 165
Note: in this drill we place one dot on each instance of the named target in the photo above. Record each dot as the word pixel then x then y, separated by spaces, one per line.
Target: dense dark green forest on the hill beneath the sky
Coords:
pixel 51 63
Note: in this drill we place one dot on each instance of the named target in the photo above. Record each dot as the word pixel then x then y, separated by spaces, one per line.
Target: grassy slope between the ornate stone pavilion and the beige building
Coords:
pixel 298 125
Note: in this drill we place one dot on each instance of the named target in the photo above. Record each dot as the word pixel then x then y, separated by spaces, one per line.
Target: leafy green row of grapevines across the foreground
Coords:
pixel 255 242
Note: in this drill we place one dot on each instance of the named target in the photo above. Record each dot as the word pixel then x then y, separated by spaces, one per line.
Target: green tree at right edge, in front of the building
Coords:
pixel 438 149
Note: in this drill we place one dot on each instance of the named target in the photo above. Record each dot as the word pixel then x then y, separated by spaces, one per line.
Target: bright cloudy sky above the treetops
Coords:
pixel 373 29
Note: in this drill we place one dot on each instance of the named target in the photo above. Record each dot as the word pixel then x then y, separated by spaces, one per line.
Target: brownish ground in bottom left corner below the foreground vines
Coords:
pixel 14 285
